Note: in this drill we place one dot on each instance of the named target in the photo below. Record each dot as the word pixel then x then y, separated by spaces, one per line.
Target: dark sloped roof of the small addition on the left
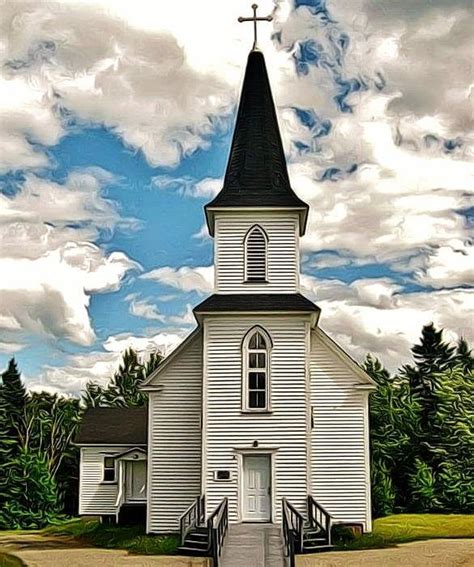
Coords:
pixel 113 426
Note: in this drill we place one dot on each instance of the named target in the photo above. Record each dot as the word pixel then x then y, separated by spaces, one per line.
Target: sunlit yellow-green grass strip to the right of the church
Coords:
pixel 403 528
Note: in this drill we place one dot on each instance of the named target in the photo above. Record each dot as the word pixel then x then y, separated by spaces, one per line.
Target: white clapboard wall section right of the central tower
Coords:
pixel 339 461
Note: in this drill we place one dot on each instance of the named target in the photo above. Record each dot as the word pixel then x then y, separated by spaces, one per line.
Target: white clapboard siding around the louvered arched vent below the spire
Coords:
pixel 282 270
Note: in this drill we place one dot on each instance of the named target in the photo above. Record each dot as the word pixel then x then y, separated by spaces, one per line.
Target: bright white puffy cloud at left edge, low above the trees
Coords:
pixel 51 294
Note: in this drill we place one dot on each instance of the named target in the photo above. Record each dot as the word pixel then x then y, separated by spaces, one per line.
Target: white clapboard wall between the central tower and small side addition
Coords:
pixel 174 450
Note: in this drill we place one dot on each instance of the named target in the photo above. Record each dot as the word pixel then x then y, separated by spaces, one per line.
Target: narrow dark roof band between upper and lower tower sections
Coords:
pixel 256 302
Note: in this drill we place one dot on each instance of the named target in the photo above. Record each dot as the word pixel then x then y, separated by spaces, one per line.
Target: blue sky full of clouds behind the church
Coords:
pixel 115 124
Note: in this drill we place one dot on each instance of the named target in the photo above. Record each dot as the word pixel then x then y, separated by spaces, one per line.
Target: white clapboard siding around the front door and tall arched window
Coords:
pixel 227 429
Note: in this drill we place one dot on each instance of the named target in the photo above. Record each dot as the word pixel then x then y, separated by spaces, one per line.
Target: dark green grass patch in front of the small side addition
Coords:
pixel 132 539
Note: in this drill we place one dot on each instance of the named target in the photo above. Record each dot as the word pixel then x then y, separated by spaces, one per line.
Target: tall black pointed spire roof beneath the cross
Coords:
pixel 256 173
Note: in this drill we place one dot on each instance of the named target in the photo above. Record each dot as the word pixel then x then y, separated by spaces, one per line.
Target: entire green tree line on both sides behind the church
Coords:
pixel 421 424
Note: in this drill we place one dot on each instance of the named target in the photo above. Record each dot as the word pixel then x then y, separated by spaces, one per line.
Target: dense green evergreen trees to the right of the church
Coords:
pixel 422 429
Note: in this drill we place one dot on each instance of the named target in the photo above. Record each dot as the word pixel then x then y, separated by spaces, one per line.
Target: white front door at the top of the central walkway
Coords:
pixel 257 489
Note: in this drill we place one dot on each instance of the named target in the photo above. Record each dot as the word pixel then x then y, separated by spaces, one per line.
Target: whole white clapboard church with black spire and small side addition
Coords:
pixel 258 408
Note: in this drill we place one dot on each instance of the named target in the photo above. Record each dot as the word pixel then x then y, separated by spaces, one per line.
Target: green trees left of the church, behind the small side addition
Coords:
pixel 39 464
